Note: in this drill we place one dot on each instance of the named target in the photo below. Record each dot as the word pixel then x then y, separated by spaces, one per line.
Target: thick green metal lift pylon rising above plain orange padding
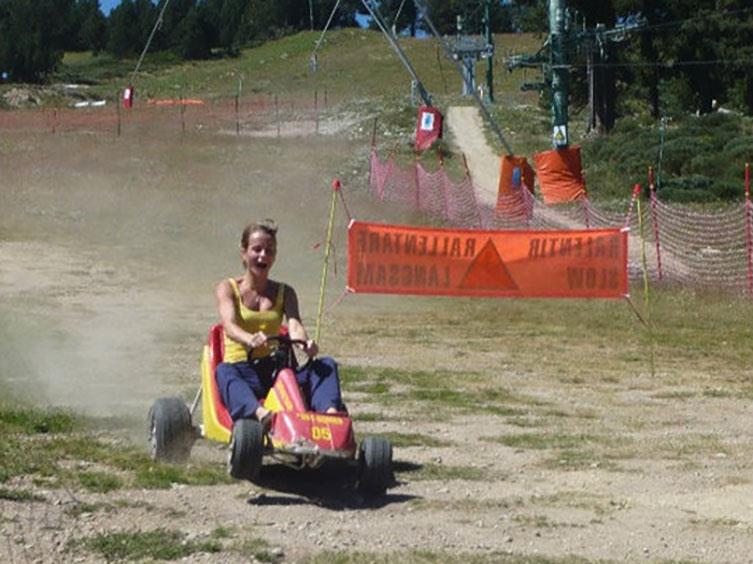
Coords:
pixel 560 73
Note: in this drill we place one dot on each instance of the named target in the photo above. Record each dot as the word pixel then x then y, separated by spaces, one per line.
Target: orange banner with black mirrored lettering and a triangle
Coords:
pixel 400 259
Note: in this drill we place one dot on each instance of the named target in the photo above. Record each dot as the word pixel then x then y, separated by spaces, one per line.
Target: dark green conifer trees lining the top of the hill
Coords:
pixel 679 55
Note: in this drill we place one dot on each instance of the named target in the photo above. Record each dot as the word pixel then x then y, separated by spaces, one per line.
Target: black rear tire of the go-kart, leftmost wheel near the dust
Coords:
pixel 169 430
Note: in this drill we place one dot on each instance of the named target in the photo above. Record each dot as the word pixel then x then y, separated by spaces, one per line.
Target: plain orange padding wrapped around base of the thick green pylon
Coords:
pixel 560 175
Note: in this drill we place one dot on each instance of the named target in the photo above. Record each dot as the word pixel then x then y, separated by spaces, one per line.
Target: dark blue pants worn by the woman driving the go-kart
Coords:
pixel 243 384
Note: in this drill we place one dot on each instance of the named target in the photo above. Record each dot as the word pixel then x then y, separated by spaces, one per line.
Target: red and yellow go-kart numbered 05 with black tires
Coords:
pixel 297 436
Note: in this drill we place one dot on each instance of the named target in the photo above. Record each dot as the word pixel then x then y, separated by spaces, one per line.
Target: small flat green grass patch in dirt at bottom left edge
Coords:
pixel 160 544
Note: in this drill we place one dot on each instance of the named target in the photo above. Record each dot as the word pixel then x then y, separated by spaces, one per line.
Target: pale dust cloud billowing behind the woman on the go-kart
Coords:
pixel 110 249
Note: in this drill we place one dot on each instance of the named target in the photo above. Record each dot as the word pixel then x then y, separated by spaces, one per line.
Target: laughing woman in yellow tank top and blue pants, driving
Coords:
pixel 251 308
